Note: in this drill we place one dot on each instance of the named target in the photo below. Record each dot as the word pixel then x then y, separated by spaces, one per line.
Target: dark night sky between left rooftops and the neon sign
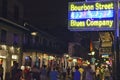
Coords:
pixel 49 16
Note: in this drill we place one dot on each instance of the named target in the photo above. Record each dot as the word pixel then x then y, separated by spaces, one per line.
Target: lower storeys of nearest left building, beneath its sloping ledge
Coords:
pixel 11 37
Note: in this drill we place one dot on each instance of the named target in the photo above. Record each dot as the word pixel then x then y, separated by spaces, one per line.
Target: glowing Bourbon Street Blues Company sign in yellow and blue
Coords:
pixel 91 16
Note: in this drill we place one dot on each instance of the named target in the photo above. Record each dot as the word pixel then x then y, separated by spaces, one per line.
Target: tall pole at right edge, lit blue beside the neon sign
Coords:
pixel 116 40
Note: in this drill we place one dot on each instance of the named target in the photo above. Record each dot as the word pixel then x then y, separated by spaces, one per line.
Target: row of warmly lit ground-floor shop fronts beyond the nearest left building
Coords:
pixel 38 59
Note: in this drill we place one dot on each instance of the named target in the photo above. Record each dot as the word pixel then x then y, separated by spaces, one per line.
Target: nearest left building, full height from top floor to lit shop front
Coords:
pixel 11 18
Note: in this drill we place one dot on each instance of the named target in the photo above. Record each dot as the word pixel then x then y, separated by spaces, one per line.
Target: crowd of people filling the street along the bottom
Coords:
pixel 78 72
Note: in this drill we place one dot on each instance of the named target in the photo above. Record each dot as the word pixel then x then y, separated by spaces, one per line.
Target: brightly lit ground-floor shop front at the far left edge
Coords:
pixel 8 54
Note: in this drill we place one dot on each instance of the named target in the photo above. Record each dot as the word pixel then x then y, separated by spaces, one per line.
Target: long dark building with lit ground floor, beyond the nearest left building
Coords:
pixel 41 49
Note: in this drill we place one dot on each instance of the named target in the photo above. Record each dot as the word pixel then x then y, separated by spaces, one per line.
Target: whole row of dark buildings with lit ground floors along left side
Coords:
pixel 17 43
